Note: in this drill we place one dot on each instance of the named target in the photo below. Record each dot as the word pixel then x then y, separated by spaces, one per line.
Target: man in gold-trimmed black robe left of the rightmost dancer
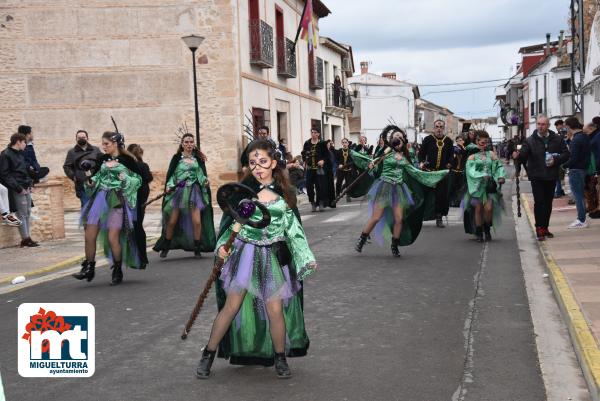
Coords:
pixel 437 153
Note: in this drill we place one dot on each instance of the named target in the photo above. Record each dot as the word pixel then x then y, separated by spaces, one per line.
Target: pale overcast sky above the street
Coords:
pixel 441 41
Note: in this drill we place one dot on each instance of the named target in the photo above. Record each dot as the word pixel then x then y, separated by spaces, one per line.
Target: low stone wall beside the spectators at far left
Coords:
pixel 48 201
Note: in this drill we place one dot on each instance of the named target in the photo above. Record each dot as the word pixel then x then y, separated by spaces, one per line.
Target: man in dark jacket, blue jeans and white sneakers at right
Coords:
pixel 578 164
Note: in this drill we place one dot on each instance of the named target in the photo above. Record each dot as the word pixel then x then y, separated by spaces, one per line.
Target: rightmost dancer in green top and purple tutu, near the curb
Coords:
pixel 483 204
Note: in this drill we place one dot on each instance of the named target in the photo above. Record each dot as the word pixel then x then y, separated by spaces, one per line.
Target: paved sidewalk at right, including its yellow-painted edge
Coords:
pixel 573 263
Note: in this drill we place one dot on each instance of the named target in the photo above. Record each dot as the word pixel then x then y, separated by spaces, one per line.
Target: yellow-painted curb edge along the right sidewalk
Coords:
pixel 586 347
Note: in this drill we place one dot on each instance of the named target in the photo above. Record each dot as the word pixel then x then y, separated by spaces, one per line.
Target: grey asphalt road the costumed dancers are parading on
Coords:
pixel 449 320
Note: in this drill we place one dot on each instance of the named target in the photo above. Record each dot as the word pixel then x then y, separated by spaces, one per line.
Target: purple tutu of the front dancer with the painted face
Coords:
pixel 255 269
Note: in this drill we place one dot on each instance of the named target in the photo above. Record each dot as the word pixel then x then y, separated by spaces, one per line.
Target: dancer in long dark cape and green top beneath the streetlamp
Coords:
pixel 187 209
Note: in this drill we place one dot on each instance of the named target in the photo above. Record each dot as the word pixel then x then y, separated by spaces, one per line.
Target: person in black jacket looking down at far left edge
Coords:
pixel 15 175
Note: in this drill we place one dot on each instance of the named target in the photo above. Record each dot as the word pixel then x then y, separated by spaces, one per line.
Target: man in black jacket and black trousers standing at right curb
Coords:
pixel 544 152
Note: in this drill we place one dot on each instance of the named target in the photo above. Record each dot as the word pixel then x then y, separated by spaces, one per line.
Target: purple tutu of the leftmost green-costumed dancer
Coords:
pixel 98 212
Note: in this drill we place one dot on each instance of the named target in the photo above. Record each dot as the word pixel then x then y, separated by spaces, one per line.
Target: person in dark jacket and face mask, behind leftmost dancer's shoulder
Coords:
pixel 82 158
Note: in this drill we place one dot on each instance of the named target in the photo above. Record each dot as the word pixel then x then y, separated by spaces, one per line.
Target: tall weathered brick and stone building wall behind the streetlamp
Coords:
pixel 71 64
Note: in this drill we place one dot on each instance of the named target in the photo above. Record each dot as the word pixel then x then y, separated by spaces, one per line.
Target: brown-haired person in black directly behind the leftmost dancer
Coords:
pixel 143 193
